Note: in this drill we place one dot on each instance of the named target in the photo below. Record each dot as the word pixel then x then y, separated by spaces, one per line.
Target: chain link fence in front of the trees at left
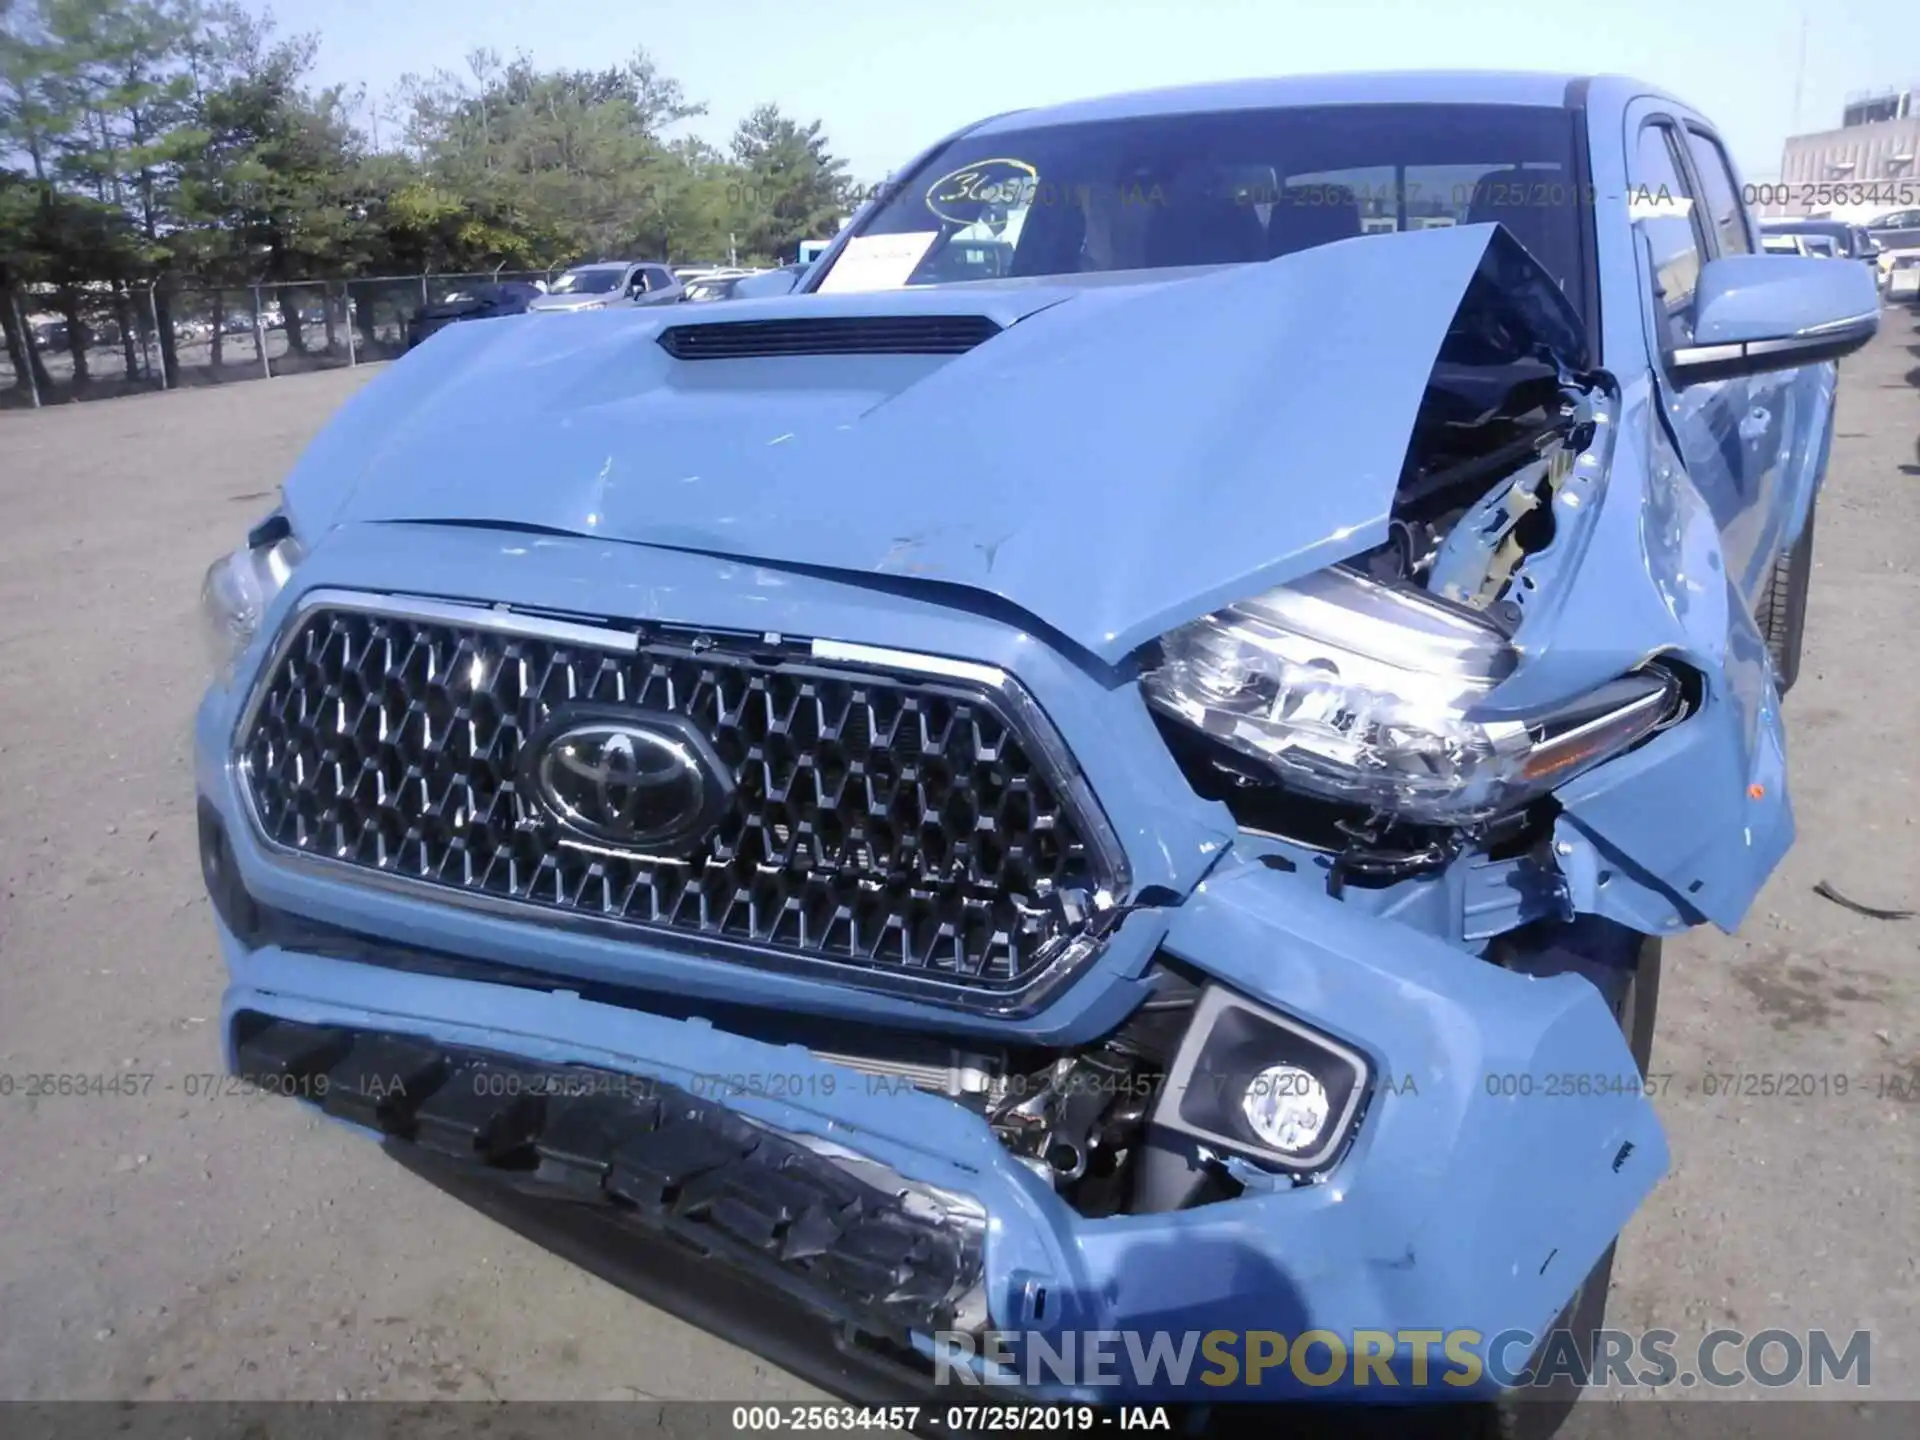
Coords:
pixel 99 341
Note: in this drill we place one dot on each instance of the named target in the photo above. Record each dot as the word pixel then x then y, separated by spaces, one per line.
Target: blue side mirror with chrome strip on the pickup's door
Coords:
pixel 1758 314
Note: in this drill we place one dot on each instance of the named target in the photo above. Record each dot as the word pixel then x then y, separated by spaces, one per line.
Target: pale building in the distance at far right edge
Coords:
pixel 1863 170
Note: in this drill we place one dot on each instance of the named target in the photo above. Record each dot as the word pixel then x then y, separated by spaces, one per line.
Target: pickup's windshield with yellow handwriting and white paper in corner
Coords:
pixel 1222 187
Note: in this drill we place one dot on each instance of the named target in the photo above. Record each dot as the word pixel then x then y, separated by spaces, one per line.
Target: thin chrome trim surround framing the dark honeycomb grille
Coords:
pixel 1051 754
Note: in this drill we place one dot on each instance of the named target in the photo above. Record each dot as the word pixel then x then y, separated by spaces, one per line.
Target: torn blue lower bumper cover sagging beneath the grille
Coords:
pixel 1454 1212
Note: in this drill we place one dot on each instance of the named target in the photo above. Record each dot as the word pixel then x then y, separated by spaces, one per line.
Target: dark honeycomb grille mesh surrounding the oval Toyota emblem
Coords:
pixel 903 828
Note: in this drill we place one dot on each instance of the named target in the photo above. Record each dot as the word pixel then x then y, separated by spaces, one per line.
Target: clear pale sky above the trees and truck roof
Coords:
pixel 888 78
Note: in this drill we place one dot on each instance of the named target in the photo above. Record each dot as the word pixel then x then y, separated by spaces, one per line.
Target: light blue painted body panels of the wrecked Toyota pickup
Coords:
pixel 969 508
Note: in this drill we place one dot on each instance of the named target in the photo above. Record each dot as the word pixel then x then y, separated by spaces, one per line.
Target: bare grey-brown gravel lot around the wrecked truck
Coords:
pixel 235 1249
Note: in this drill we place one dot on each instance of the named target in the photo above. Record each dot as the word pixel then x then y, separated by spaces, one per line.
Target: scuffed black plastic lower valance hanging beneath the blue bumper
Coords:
pixel 857 1245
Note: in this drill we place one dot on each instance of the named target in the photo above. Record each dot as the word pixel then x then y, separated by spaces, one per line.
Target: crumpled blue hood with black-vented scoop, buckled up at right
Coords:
pixel 1118 460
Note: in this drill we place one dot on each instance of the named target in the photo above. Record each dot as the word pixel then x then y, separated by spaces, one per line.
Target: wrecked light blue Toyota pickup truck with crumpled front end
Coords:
pixel 1116 763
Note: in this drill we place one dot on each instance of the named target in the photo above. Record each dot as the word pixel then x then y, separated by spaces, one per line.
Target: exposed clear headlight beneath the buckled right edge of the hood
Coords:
pixel 1366 694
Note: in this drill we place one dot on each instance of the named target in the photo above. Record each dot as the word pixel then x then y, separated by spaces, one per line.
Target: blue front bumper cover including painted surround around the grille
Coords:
pixel 1479 1191
